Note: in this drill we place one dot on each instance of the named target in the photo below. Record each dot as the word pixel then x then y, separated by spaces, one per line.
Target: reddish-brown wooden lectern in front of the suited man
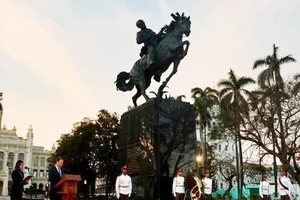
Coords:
pixel 68 183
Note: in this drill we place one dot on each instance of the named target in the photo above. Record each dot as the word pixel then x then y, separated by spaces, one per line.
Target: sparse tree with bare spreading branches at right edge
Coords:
pixel 264 129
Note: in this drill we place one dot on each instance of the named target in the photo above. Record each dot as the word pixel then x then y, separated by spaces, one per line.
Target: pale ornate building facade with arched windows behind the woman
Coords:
pixel 13 148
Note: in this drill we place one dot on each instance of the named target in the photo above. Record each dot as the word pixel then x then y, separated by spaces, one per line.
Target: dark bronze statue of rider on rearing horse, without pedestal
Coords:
pixel 161 50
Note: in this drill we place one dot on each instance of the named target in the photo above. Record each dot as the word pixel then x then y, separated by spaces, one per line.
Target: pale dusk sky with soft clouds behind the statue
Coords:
pixel 59 58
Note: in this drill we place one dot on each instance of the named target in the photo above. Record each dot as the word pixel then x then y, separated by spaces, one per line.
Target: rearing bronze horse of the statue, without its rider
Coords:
pixel 170 49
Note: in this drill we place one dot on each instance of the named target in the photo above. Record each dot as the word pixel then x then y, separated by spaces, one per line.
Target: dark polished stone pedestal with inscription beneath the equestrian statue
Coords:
pixel 157 138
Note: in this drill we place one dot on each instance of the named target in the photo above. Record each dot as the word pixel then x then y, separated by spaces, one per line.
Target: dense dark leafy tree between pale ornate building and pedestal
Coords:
pixel 90 148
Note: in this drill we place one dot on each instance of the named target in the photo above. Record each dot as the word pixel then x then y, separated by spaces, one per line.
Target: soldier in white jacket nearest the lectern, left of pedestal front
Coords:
pixel 123 185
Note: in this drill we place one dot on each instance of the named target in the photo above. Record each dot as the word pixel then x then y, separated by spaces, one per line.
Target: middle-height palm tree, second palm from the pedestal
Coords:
pixel 233 101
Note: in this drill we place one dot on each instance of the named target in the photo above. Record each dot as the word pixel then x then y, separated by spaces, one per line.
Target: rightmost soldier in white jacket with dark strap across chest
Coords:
pixel 285 185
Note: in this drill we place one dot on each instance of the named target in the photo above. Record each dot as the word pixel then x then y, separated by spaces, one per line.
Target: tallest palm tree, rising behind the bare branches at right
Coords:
pixel 271 78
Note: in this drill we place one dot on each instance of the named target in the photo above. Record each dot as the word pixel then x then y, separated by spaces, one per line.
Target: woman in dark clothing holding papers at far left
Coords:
pixel 17 176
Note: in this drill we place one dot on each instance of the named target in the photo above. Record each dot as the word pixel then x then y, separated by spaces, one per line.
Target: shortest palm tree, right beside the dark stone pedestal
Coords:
pixel 203 102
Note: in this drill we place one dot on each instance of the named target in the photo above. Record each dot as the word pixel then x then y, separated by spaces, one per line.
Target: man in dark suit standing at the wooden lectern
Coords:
pixel 55 173
